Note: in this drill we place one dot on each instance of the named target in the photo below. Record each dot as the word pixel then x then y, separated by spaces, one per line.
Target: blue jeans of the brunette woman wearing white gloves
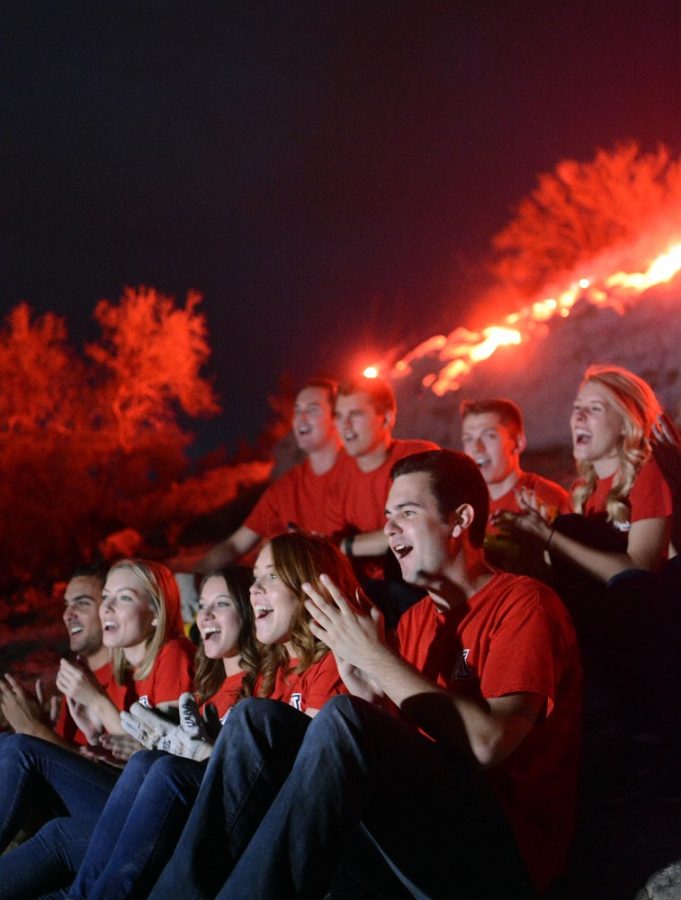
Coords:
pixel 139 827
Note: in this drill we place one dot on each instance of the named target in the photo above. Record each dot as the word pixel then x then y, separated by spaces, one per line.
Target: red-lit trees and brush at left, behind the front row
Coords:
pixel 91 443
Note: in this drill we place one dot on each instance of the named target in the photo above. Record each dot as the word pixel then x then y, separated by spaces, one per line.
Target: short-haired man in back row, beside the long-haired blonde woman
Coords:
pixel 493 435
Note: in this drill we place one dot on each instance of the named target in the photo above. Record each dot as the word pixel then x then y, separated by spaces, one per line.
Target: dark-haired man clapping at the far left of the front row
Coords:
pixel 82 599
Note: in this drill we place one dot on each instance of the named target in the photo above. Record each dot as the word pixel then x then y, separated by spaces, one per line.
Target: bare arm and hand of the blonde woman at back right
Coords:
pixel 645 545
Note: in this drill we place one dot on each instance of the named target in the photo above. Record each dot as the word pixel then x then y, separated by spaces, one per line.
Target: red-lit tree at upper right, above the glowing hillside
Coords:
pixel 581 209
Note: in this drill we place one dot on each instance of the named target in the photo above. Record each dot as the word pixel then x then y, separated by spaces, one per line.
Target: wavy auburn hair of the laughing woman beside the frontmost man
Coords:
pixel 298 558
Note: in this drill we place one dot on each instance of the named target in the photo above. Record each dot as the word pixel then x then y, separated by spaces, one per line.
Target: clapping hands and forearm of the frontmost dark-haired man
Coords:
pixel 488 729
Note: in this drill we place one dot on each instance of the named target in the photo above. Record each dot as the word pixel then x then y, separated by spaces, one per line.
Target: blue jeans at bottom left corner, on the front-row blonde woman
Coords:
pixel 66 787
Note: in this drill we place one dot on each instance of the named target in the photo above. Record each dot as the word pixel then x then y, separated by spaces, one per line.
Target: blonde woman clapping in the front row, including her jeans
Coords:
pixel 153 662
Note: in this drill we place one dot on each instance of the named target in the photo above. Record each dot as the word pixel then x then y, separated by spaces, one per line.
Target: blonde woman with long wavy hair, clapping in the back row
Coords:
pixel 620 484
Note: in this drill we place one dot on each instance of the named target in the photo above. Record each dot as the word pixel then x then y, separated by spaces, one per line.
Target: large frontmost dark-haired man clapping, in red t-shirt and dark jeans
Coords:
pixel 463 784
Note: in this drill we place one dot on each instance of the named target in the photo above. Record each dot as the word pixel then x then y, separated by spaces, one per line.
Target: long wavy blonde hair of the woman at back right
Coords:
pixel 636 403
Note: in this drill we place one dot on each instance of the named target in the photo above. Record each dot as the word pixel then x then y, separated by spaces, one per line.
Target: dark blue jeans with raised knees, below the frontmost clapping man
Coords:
pixel 287 800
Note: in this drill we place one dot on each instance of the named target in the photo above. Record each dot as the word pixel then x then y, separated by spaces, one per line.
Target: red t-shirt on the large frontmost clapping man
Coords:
pixel 515 636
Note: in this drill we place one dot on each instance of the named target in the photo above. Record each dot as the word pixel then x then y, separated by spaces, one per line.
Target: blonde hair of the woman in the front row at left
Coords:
pixel 160 589
